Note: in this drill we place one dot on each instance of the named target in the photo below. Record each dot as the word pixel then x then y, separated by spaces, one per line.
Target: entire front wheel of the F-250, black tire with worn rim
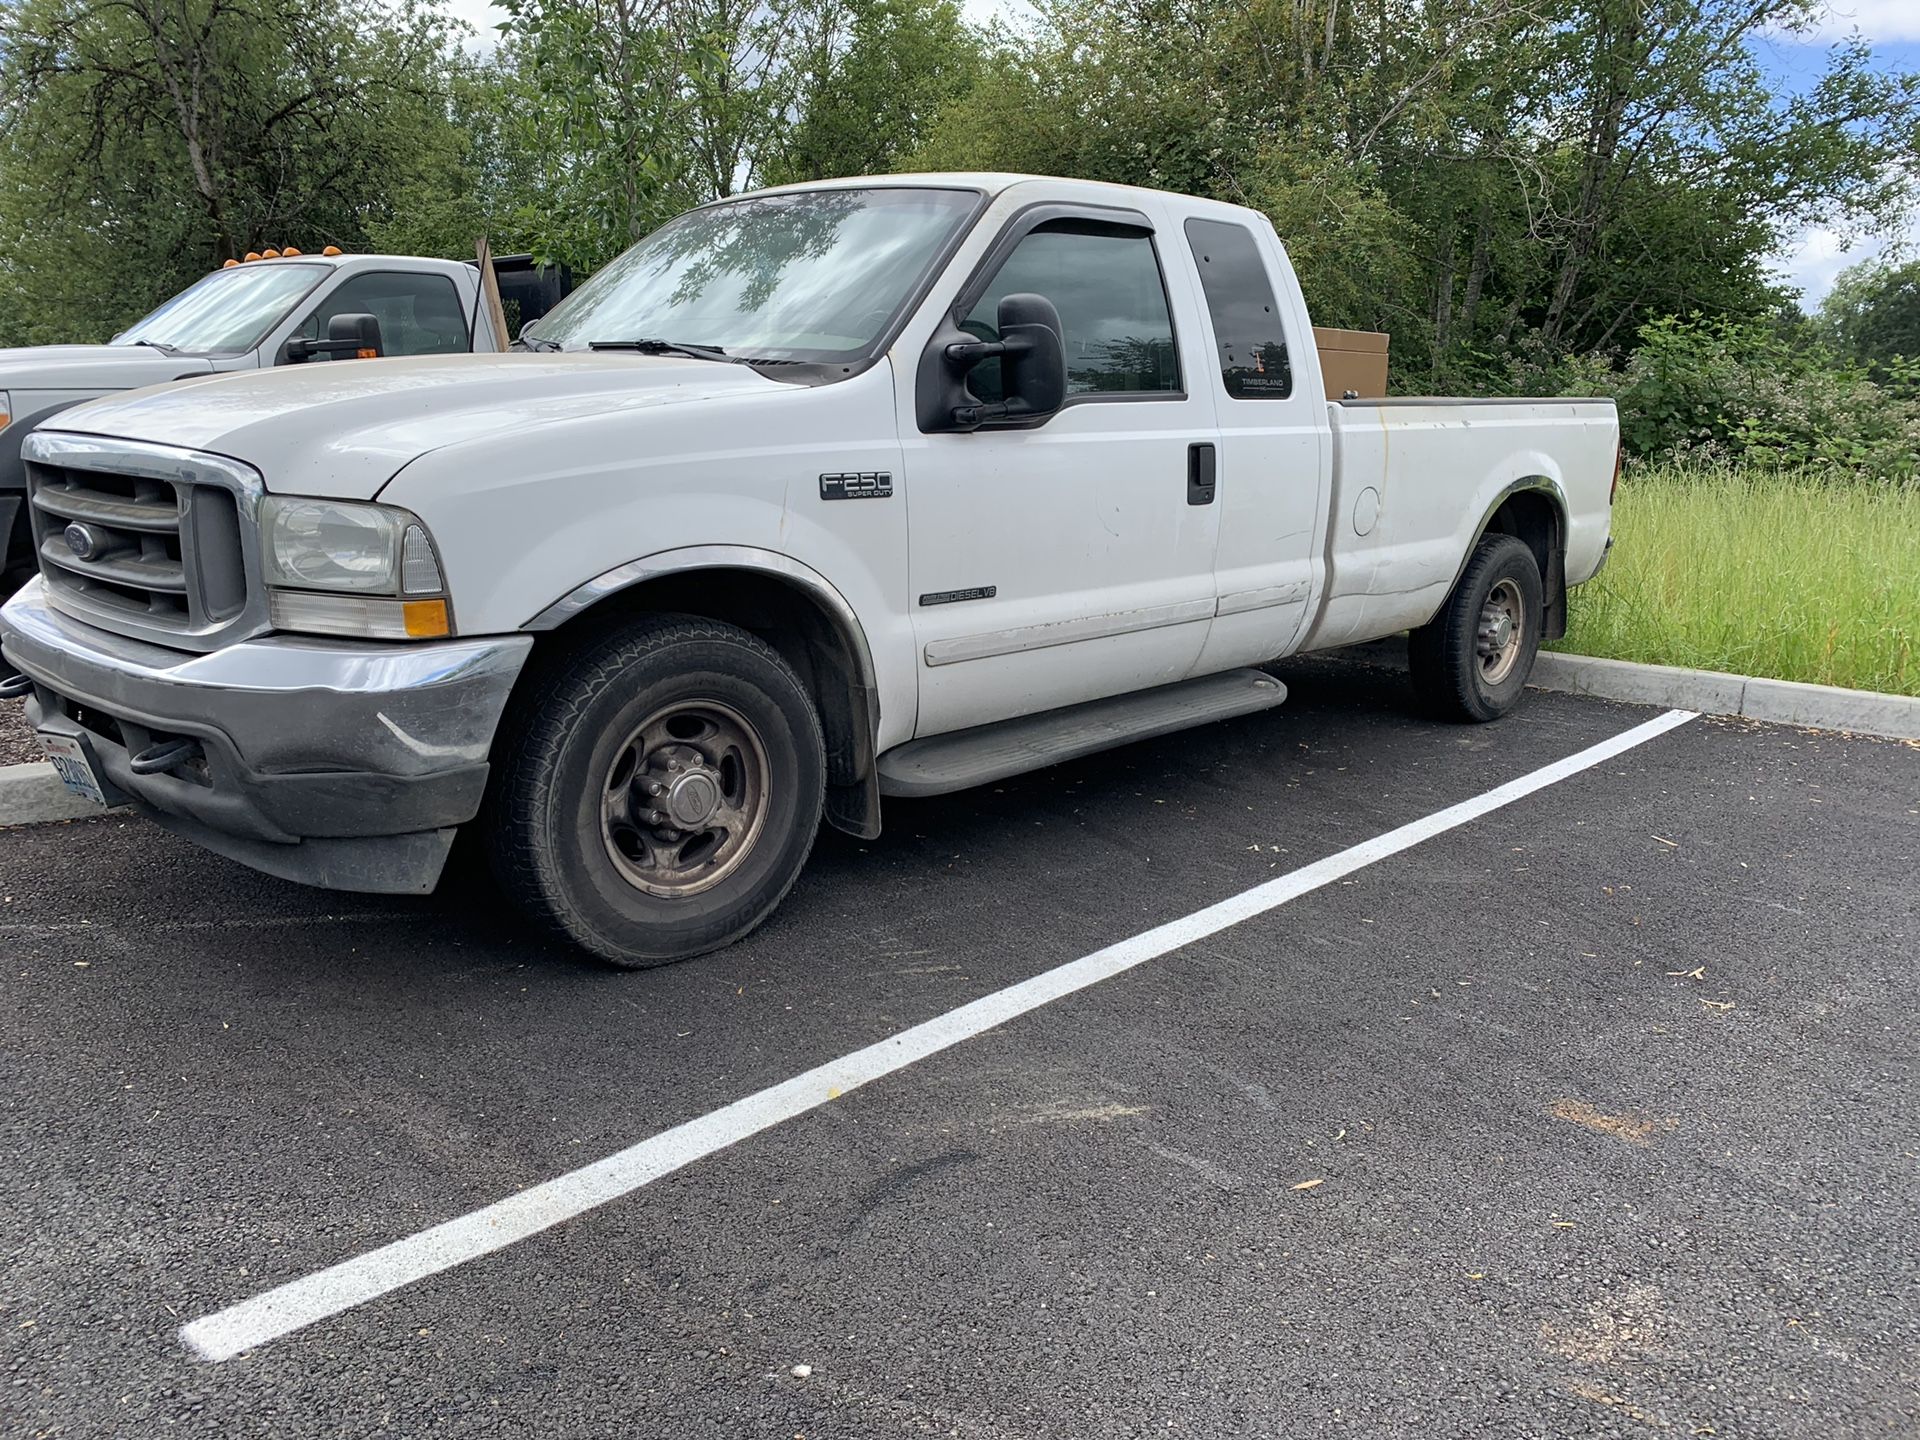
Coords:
pixel 658 794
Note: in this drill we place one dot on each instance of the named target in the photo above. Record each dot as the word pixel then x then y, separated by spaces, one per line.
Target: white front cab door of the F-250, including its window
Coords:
pixel 1068 560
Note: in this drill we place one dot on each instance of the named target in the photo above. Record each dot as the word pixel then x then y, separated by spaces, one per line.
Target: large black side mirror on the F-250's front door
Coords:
pixel 1034 370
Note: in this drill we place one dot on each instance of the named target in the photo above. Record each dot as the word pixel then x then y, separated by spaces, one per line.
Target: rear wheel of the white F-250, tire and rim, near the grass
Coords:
pixel 1472 661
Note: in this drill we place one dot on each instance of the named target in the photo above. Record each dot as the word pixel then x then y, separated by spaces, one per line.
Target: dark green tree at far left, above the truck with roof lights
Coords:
pixel 145 141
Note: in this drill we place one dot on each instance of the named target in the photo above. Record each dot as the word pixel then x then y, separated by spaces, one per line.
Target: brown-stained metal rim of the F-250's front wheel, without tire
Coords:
pixel 684 800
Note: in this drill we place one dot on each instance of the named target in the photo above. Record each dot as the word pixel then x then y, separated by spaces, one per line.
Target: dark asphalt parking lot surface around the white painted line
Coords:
pixel 1595 1116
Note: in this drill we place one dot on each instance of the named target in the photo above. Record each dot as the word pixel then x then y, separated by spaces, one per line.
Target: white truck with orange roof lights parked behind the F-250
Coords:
pixel 249 316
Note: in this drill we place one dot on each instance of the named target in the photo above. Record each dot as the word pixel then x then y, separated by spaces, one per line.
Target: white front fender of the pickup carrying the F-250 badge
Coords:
pixel 537 525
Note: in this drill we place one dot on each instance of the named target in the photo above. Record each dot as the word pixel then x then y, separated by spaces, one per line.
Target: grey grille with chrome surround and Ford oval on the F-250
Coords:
pixel 147 540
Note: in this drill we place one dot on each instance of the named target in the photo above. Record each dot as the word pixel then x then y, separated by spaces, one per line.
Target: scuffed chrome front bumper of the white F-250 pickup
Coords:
pixel 333 763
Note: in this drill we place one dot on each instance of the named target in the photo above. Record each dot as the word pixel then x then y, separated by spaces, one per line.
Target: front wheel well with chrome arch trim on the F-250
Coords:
pixel 807 636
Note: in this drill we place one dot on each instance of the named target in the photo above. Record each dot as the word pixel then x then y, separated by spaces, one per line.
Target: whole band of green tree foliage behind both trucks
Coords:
pixel 1516 189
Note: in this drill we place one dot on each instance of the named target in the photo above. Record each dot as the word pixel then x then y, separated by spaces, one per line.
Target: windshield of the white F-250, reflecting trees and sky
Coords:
pixel 813 276
